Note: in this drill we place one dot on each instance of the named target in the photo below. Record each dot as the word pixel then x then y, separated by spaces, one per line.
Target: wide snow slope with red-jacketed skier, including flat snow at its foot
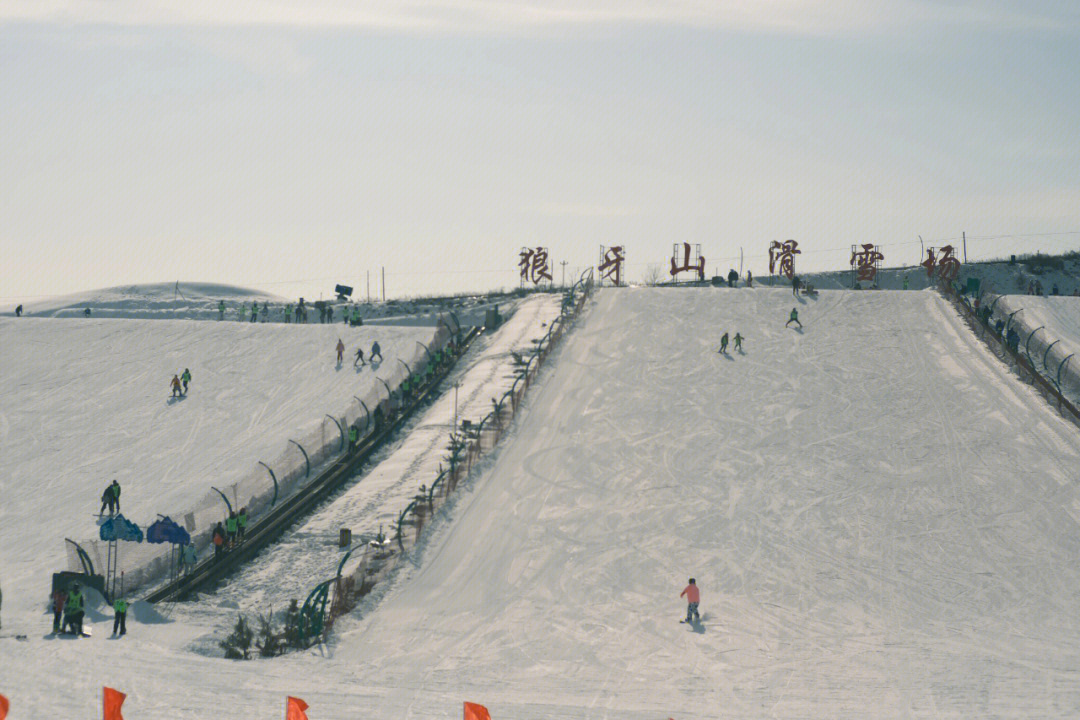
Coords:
pixel 883 520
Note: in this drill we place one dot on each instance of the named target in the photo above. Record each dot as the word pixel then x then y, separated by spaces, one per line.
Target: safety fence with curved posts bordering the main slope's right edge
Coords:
pixel 1039 359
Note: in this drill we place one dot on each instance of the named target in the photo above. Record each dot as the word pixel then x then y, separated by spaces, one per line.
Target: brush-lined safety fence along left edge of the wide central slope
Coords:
pixel 368 563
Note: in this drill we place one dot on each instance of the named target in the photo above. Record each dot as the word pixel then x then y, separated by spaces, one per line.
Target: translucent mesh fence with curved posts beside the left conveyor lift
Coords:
pixel 268 483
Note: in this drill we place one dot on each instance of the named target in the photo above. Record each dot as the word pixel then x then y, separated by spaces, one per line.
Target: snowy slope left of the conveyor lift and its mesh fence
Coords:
pixel 84 402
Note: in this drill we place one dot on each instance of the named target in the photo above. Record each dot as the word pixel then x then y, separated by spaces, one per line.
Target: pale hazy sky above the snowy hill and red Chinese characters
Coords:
pixel 291 145
